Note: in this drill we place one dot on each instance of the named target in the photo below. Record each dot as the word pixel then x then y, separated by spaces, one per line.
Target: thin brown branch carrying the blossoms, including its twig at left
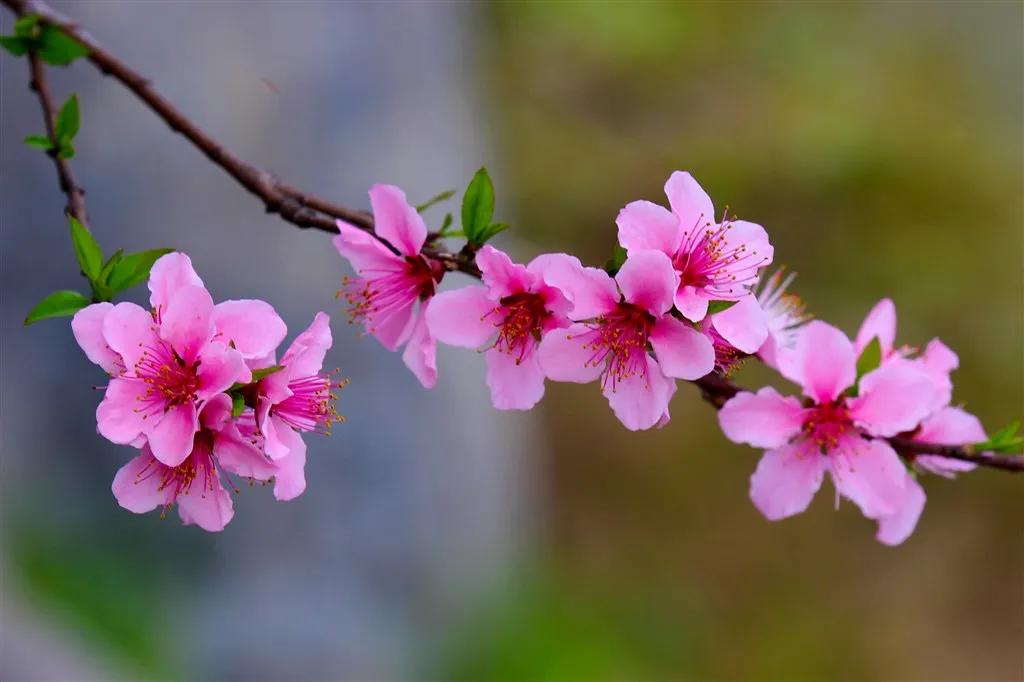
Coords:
pixel 306 210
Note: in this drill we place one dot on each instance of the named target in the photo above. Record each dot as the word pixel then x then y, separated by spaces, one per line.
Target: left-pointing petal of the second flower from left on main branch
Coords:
pixel 465 318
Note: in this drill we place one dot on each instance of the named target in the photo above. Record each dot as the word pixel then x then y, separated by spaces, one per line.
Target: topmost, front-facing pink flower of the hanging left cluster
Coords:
pixel 167 364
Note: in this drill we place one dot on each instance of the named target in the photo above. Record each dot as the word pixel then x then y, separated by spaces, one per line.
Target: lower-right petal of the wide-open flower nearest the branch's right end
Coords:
pixel 871 475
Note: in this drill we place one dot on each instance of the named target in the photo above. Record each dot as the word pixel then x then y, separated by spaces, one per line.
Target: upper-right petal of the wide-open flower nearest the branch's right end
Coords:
pixel 893 399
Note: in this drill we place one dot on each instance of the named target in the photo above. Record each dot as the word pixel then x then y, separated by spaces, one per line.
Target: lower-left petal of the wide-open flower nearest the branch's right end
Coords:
pixel 786 481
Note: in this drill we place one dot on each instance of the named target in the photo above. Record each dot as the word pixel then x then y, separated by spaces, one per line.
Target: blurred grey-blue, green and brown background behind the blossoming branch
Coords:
pixel 881 144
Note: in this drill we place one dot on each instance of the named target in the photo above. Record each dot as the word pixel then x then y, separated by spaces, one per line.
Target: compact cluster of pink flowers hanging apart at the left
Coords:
pixel 196 388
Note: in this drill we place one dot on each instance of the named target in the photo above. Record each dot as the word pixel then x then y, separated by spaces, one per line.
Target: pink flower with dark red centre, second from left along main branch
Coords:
pixel 506 318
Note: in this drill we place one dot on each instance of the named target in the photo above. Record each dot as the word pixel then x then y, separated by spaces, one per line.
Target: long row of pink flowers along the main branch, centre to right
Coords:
pixel 690 300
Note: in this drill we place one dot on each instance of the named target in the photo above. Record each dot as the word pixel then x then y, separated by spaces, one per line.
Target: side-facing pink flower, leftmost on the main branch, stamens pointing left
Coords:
pixel 395 288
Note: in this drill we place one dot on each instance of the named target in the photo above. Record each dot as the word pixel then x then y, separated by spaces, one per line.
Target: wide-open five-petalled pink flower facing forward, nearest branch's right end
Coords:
pixel 833 434
